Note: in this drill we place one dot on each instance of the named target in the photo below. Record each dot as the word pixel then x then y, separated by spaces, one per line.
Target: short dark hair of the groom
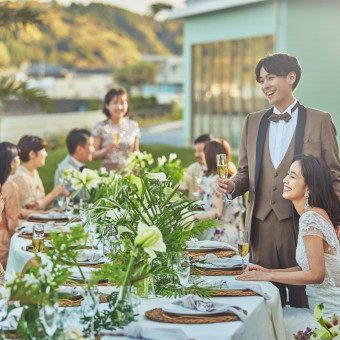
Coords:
pixel 280 64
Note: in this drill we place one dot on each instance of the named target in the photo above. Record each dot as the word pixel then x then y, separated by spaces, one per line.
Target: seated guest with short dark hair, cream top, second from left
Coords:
pixel 32 153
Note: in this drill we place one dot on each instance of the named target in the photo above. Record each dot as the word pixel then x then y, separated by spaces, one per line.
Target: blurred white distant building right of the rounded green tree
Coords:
pixel 169 80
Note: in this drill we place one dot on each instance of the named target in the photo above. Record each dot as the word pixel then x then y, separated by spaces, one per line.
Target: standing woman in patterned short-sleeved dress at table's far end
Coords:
pixel 116 137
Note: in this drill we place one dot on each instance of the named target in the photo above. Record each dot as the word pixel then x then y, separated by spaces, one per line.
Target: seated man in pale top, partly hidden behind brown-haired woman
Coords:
pixel 195 170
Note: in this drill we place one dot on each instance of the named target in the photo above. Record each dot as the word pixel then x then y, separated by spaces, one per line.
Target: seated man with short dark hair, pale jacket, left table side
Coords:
pixel 80 148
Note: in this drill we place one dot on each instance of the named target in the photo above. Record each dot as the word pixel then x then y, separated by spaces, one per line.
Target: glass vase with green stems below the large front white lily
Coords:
pixel 125 305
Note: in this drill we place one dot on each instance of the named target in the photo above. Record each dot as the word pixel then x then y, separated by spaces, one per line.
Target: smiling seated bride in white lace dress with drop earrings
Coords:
pixel 308 185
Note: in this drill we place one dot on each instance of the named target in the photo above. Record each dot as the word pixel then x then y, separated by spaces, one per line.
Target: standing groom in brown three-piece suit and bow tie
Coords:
pixel 270 139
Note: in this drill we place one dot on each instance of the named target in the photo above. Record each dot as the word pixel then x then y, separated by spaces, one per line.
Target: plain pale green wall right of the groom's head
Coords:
pixel 313 36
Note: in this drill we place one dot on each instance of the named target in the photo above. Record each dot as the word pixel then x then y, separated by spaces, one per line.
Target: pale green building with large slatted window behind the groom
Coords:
pixel 223 41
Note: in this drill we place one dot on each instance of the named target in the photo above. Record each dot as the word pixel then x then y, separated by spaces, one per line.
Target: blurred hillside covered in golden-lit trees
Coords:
pixel 96 36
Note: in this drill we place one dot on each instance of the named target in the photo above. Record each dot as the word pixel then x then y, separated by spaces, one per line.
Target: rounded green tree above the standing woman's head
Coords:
pixel 136 75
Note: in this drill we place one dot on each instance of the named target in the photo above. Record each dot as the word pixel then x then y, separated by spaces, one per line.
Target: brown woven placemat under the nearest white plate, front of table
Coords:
pixel 159 315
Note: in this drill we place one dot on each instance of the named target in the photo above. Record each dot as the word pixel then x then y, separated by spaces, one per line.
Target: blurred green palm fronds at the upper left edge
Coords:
pixel 12 19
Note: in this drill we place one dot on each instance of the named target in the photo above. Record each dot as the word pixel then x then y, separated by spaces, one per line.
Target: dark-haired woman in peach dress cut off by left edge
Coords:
pixel 9 161
